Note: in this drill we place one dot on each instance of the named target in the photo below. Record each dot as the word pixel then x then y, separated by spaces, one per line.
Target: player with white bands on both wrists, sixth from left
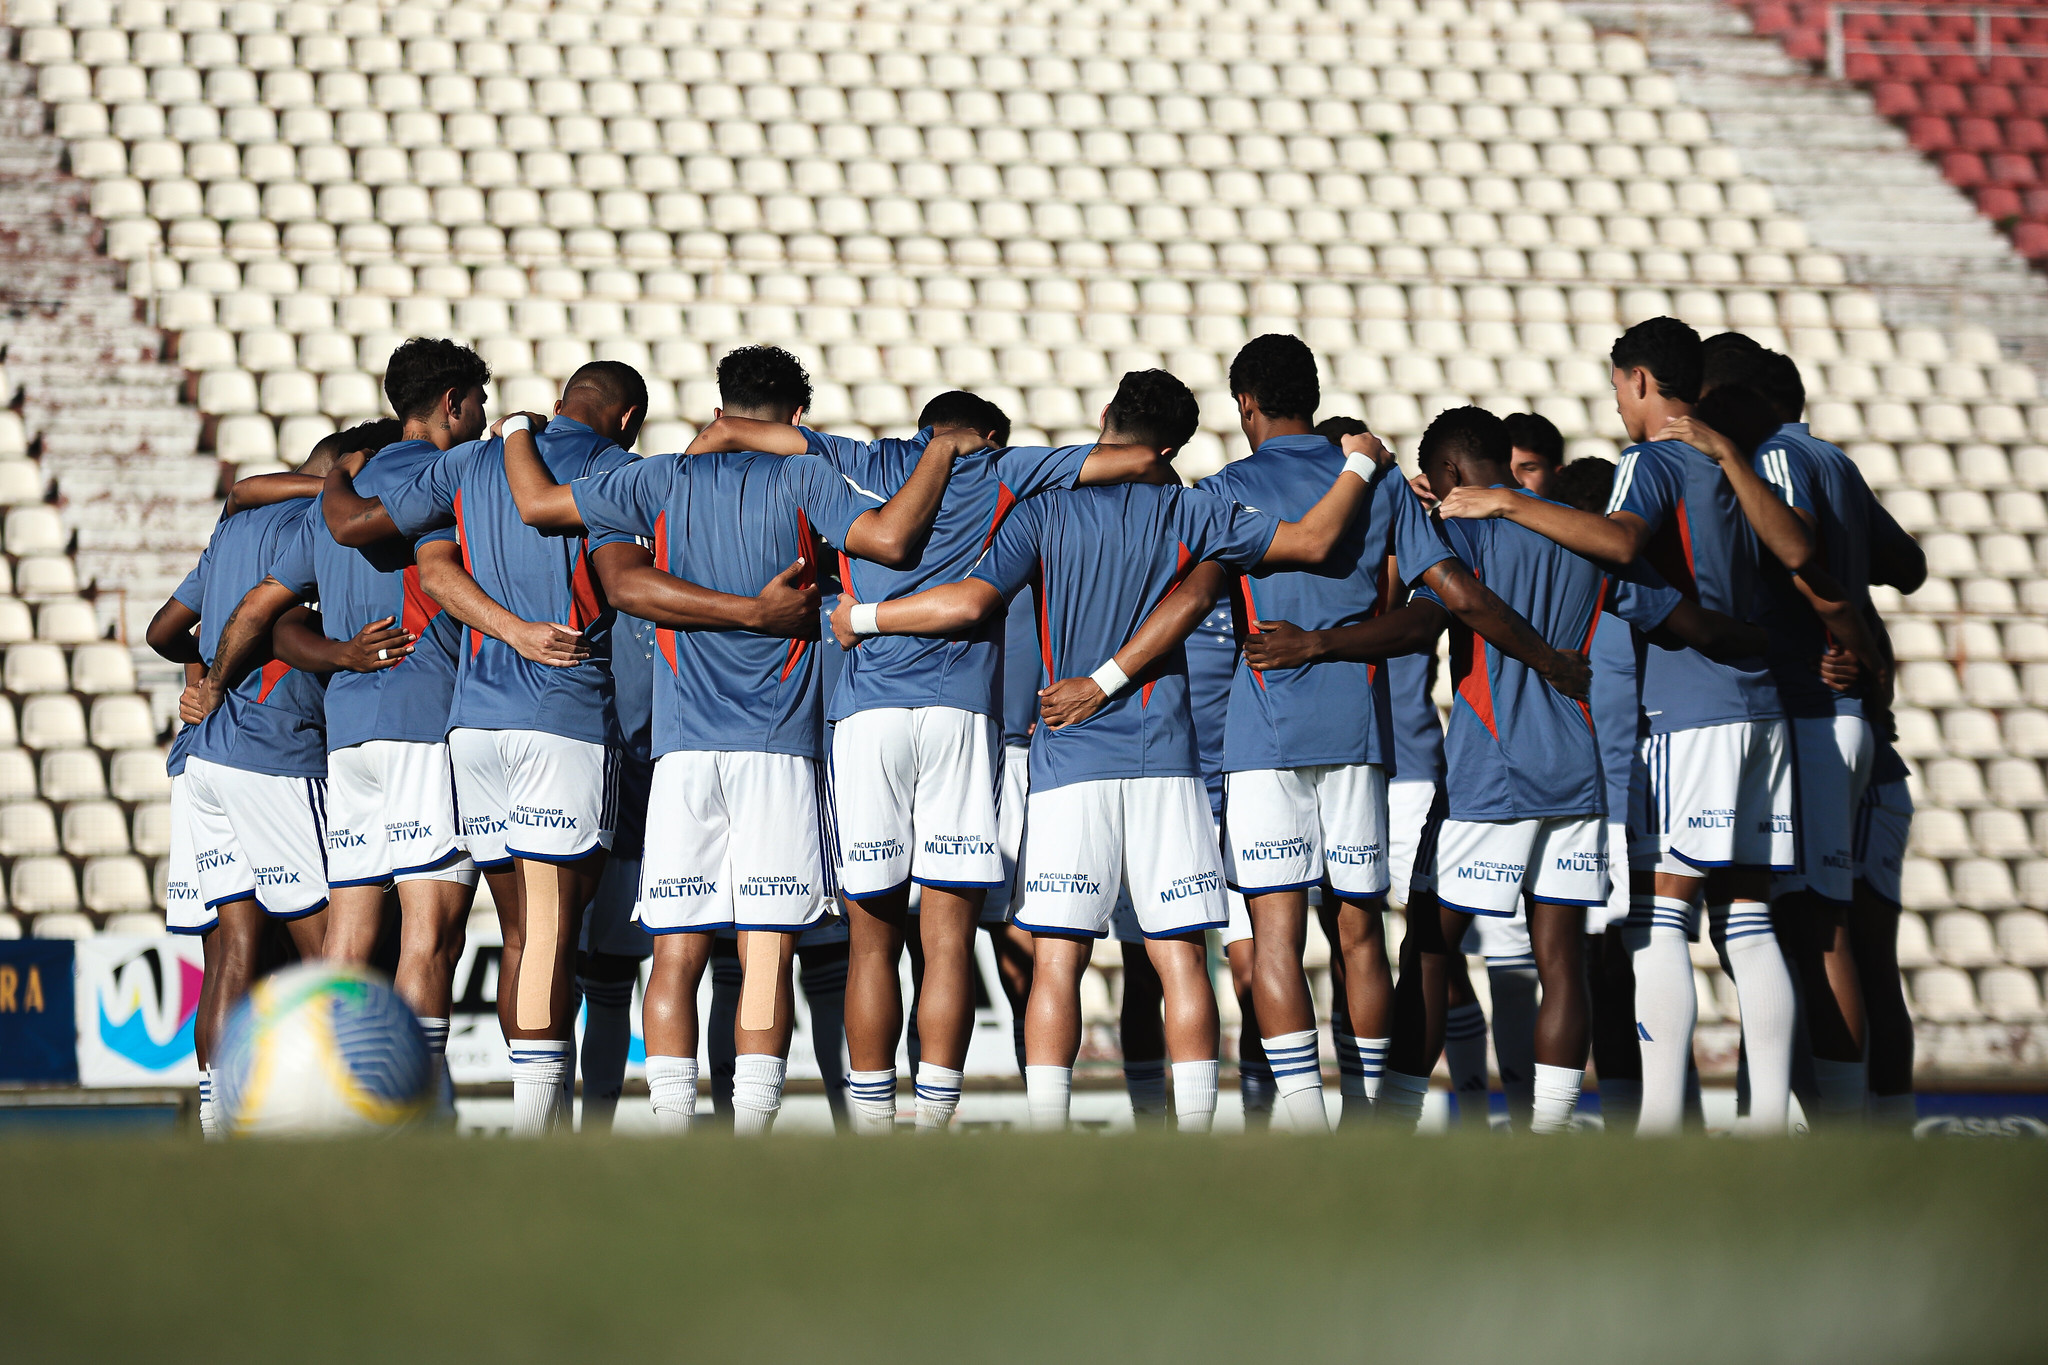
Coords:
pixel 1117 799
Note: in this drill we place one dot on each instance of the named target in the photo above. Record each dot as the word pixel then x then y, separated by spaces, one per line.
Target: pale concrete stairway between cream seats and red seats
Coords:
pixel 1850 175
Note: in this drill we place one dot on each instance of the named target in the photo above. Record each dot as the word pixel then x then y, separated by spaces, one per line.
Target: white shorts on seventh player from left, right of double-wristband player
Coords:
pixel 1293 828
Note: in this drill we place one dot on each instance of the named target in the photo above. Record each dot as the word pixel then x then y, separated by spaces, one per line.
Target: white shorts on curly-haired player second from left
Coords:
pixel 392 816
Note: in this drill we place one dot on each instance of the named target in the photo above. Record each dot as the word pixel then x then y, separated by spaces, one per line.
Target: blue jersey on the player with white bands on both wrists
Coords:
pixel 1101 560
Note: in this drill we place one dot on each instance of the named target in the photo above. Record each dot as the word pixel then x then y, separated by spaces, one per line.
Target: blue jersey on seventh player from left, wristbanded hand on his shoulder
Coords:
pixel 1336 711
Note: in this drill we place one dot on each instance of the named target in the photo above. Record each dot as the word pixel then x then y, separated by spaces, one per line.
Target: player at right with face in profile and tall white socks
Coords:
pixel 1719 799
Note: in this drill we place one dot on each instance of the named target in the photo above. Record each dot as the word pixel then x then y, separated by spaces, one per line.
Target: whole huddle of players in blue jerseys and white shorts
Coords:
pixel 796 697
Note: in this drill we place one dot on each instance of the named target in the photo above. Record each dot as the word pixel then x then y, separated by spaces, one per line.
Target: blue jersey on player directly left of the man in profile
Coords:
pixel 1517 748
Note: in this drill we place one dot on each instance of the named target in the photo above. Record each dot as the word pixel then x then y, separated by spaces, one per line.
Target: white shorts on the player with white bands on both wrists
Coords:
pixel 1086 842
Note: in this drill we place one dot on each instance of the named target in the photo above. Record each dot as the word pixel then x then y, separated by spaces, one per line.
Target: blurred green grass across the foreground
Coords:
pixel 996 1249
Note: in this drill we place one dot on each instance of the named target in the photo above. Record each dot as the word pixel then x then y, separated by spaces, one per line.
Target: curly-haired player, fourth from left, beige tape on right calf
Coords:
pixel 738 713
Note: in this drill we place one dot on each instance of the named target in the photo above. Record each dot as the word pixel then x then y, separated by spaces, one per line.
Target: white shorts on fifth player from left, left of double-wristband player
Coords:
pixel 916 797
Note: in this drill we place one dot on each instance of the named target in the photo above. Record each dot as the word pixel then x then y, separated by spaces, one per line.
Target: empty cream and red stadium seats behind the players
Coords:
pixel 1453 202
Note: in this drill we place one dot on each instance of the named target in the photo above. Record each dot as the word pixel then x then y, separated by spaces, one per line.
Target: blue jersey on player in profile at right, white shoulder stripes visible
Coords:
pixel 1701 545
